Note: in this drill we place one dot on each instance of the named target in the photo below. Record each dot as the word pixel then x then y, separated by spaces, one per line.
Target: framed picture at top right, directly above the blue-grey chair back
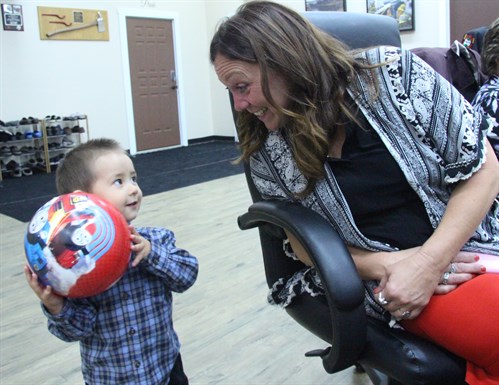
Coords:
pixel 400 10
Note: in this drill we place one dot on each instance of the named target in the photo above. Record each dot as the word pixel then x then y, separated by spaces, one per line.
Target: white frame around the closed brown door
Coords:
pixel 146 14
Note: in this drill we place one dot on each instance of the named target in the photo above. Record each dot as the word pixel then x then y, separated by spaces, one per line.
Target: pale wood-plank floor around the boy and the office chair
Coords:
pixel 229 334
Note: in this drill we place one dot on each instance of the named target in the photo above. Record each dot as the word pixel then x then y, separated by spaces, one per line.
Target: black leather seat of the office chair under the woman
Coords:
pixel 415 357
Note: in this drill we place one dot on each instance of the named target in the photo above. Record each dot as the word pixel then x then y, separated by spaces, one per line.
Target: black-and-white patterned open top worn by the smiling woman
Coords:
pixel 432 132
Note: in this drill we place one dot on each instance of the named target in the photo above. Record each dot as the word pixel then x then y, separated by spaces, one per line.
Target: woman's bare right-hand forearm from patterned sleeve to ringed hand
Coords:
pixel 409 283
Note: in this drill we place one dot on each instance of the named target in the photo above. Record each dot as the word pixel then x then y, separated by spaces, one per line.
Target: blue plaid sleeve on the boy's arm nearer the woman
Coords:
pixel 177 267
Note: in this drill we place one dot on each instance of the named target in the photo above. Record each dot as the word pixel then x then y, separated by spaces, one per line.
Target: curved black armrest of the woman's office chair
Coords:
pixel 342 284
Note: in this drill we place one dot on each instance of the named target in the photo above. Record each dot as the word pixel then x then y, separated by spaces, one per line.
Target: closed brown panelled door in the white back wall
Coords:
pixel 153 80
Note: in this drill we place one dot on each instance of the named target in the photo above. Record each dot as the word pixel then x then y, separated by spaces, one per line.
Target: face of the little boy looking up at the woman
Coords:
pixel 116 182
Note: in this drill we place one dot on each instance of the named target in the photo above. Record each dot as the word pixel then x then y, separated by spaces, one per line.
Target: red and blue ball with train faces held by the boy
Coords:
pixel 79 244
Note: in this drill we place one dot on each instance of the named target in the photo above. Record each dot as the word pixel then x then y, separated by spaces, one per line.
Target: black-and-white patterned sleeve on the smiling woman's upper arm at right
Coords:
pixel 451 127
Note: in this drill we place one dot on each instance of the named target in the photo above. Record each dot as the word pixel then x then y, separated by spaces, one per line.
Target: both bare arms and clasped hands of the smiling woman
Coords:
pixel 409 277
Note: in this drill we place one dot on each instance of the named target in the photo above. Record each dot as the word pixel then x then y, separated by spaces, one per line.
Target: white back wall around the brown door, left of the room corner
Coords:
pixel 41 77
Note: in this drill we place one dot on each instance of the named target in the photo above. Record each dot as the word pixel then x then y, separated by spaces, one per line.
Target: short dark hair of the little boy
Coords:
pixel 75 172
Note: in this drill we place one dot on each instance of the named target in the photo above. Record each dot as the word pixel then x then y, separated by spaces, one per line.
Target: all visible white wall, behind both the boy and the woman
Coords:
pixel 40 77
